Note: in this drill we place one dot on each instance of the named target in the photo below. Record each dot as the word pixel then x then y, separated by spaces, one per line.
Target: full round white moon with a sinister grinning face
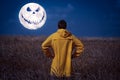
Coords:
pixel 32 16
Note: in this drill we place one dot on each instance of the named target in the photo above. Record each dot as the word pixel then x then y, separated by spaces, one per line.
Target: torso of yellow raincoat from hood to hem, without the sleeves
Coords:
pixel 62 47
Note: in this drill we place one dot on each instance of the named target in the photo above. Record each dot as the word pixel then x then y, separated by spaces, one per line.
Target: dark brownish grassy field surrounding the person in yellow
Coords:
pixel 21 58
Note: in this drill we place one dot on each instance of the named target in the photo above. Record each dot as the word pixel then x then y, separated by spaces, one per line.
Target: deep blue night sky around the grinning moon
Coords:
pixel 85 18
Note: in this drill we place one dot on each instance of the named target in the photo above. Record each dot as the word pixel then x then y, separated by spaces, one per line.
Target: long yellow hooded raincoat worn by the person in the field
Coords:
pixel 62 43
